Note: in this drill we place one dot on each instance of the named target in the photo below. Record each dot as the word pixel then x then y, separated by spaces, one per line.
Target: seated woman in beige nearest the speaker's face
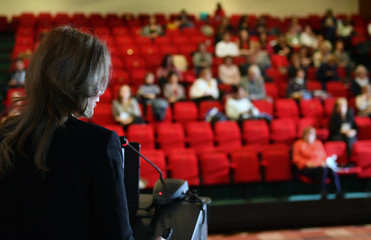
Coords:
pixel 126 108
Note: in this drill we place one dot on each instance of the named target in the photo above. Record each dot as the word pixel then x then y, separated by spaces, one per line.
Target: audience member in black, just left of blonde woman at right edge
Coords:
pixel 328 71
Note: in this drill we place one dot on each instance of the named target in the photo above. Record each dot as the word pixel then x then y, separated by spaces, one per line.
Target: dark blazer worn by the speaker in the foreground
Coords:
pixel 82 196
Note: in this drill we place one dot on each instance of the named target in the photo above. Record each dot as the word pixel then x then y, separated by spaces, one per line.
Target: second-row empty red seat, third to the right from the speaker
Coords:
pixel 199 135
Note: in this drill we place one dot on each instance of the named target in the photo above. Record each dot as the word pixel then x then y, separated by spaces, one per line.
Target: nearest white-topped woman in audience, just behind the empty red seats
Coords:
pixel 239 107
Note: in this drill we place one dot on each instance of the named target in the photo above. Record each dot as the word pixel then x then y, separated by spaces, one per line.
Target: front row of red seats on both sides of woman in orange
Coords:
pixel 244 165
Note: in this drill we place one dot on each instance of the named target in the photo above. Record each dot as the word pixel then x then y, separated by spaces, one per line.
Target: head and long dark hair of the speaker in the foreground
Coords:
pixel 68 69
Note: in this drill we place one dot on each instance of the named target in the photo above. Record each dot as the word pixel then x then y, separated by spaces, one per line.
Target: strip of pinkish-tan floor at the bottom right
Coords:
pixel 338 233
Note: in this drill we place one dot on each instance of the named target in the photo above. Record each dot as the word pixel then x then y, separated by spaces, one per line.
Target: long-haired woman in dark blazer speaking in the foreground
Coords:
pixel 62 178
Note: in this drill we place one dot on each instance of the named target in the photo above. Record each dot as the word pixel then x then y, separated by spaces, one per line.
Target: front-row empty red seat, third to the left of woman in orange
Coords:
pixel 214 168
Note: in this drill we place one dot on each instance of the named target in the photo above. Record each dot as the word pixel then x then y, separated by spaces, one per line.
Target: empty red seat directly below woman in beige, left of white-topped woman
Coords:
pixel 184 112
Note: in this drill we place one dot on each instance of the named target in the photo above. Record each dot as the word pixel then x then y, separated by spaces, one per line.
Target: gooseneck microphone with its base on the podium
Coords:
pixel 165 190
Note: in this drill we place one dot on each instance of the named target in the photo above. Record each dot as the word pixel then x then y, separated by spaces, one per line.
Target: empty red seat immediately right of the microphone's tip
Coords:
pixel 143 134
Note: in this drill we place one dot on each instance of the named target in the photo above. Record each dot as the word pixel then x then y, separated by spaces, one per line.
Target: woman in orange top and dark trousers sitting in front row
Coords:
pixel 309 157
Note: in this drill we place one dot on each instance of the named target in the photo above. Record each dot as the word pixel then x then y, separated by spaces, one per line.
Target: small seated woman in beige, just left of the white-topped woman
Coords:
pixel 173 90
